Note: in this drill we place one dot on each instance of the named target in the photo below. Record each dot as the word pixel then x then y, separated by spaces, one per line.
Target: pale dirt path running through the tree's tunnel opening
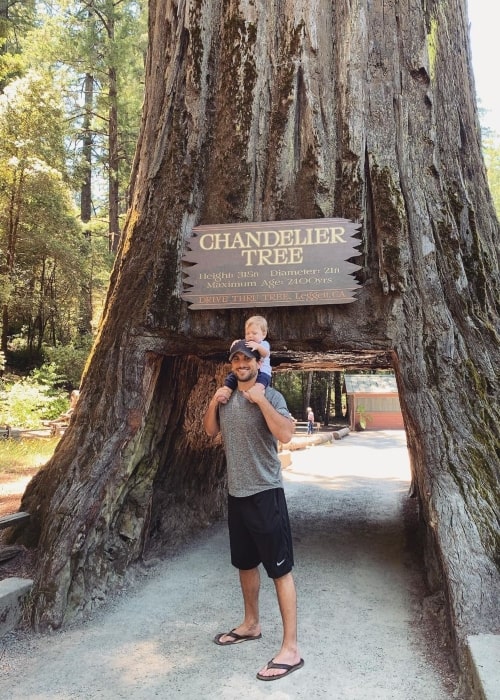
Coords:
pixel 362 632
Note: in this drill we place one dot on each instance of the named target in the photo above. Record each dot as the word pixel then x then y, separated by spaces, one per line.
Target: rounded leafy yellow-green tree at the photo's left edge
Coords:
pixel 38 225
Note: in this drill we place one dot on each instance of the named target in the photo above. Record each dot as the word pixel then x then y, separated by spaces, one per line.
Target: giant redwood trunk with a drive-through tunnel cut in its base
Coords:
pixel 268 111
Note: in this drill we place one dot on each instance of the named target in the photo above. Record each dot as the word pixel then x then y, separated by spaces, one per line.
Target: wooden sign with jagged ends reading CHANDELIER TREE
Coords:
pixel 272 263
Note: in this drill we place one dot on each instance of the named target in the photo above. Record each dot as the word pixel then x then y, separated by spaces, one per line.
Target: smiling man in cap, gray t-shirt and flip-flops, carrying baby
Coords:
pixel 251 421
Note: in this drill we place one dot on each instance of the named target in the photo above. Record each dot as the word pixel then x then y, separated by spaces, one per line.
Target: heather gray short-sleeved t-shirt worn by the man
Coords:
pixel 252 458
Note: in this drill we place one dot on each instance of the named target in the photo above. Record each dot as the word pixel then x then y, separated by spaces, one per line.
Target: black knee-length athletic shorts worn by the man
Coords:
pixel 259 532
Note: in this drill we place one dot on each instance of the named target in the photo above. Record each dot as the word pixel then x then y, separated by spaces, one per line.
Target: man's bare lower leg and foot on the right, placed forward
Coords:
pixel 287 600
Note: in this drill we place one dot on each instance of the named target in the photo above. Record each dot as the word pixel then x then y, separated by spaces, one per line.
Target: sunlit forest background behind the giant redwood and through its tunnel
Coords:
pixel 71 90
